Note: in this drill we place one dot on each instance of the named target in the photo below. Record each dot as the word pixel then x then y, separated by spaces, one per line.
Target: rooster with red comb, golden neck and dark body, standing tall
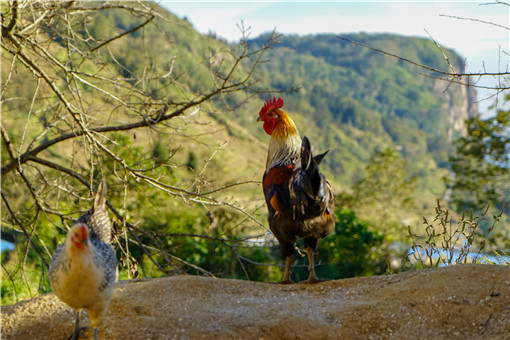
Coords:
pixel 298 196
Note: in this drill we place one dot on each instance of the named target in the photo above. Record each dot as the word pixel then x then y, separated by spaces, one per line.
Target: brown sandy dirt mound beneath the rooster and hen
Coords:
pixel 459 302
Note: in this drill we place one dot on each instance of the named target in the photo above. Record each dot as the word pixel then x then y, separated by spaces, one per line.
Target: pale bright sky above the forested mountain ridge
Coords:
pixel 485 46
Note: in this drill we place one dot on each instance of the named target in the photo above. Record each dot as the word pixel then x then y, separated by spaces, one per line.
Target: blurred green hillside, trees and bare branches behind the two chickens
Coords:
pixel 131 92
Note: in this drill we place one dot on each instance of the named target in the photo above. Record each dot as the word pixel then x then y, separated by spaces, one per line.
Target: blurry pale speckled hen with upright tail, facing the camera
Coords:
pixel 83 268
